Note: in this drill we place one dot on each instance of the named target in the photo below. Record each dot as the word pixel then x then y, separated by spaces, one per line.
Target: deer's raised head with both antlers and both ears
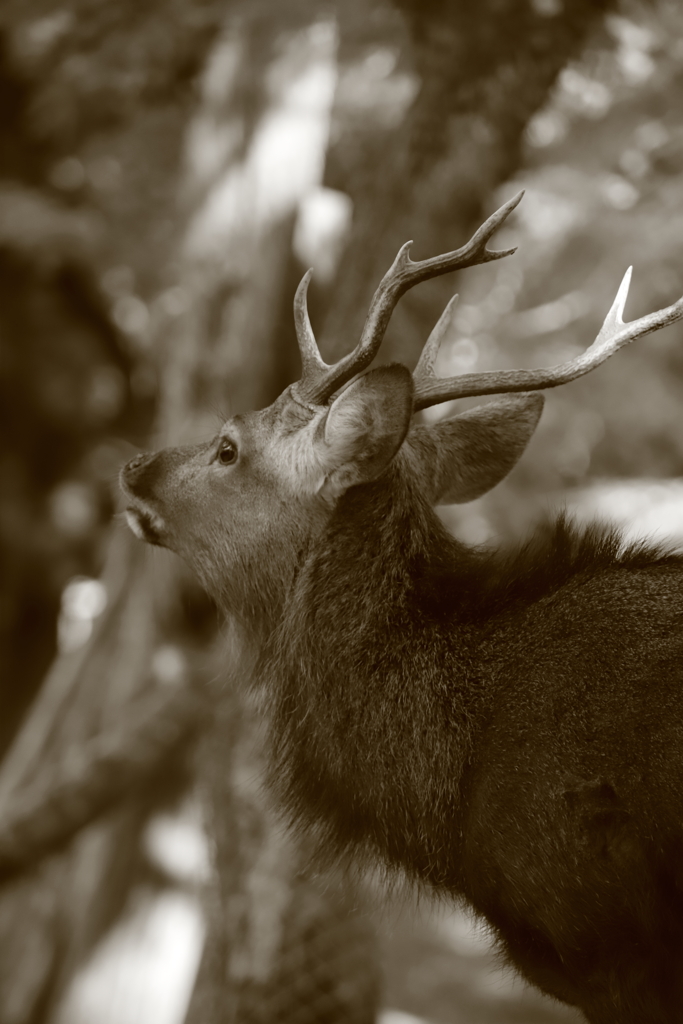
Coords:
pixel 244 507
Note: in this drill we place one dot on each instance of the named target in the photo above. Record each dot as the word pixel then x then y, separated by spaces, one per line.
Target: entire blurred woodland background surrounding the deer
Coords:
pixel 167 173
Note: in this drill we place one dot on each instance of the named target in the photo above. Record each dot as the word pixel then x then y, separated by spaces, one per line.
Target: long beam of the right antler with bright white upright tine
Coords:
pixel 613 335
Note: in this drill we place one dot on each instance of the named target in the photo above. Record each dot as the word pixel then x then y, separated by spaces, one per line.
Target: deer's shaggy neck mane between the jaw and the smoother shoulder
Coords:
pixel 376 703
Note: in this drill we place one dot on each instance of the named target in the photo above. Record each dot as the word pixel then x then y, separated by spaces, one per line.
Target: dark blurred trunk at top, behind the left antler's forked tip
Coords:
pixel 480 73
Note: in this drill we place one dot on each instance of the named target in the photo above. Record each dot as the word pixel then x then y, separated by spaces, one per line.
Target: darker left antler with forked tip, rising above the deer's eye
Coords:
pixel 320 381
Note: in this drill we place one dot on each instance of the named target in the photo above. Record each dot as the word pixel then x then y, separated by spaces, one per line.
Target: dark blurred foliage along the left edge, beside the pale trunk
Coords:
pixel 95 100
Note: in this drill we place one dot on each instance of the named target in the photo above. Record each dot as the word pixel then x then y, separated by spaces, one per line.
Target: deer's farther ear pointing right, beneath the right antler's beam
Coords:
pixel 464 457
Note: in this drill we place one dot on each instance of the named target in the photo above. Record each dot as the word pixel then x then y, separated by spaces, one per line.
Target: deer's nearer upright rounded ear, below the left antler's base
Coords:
pixel 364 429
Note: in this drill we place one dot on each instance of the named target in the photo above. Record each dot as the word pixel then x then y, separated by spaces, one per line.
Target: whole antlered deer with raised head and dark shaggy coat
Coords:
pixel 503 729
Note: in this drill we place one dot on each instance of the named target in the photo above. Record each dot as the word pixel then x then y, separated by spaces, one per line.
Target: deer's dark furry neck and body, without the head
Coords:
pixel 507 731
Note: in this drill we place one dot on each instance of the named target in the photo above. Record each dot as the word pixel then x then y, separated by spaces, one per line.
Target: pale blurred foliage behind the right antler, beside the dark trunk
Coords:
pixel 603 174
